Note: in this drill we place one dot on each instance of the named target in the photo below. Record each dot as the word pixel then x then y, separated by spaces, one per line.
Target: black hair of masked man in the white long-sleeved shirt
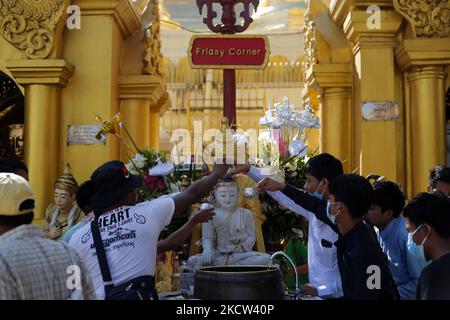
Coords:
pixel 323 166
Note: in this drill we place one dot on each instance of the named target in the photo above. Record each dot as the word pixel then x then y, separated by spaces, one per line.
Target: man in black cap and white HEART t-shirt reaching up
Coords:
pixel 130 231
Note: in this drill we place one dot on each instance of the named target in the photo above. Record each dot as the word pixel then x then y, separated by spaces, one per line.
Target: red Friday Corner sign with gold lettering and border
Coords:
pixel 229 52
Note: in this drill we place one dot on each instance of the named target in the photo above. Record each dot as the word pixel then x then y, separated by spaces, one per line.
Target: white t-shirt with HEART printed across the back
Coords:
pixel 130 236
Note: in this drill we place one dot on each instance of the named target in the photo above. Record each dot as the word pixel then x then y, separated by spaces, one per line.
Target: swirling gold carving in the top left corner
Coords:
pixel 30 25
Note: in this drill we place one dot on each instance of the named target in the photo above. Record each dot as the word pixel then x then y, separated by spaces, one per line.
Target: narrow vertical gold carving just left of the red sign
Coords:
pixel 153 60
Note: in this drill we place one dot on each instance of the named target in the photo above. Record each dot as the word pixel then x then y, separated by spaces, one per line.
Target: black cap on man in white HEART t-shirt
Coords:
pixel 112 182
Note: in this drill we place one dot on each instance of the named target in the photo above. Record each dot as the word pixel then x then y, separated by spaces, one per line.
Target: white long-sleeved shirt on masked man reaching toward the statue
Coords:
pixel 323 270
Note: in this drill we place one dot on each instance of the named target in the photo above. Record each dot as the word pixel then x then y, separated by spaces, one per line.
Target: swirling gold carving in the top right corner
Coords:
pixel 428 18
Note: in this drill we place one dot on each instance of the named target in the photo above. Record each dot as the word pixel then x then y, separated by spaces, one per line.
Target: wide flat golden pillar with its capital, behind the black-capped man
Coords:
pixel 99 52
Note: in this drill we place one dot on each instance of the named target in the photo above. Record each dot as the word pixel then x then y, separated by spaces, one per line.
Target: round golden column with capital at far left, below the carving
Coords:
pixel 43 81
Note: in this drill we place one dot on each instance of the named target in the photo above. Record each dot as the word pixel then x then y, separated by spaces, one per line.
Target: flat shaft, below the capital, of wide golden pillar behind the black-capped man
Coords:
pixel 91 91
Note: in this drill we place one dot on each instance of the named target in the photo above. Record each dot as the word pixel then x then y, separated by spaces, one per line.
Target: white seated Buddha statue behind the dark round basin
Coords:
pixel 229 238
